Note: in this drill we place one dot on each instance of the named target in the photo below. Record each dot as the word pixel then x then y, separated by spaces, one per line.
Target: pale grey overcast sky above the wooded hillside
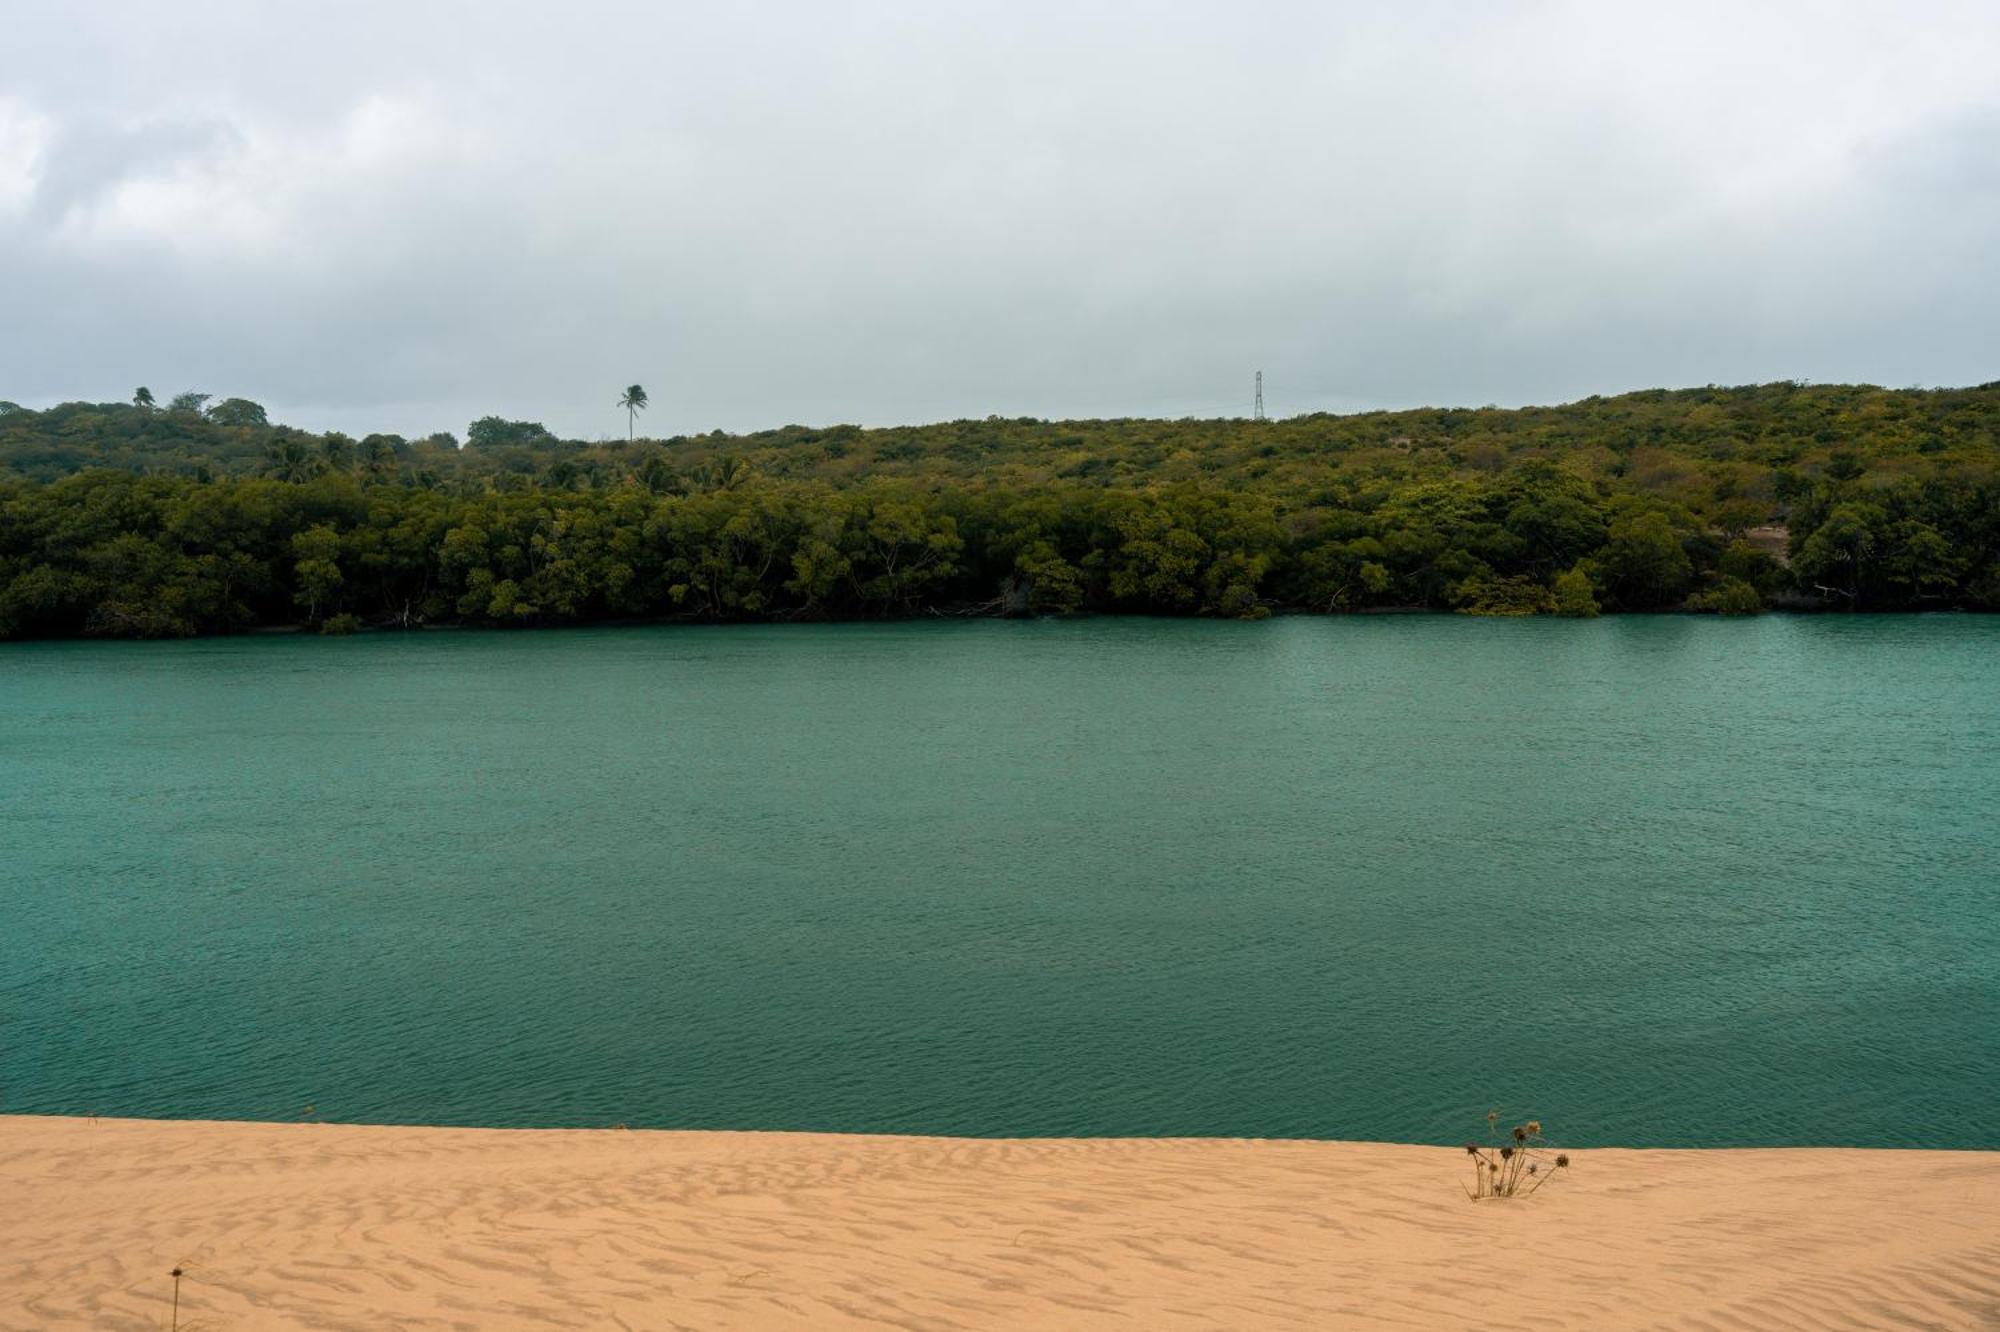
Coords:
pixel 399 217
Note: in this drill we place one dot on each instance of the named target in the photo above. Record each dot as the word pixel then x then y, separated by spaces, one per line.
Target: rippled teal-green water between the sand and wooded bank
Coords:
pixel 1657 881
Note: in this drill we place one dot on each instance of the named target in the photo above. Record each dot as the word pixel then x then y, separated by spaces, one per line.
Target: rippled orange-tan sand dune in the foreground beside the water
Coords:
pixel 343 1227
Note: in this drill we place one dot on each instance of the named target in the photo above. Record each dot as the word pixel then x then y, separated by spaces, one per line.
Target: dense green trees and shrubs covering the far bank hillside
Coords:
pixel 143 521
